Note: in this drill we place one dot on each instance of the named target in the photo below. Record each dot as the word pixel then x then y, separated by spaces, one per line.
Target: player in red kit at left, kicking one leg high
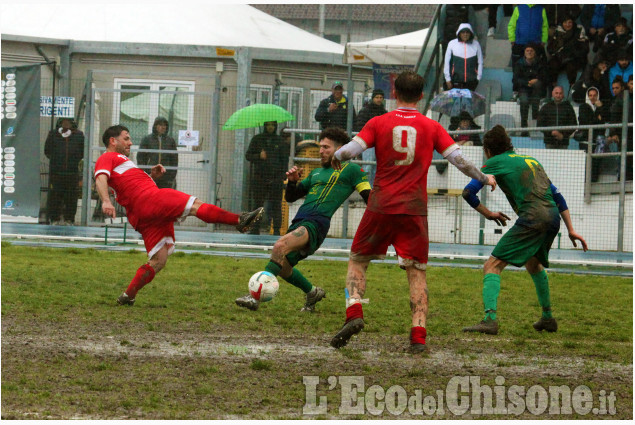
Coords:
pixel 150 210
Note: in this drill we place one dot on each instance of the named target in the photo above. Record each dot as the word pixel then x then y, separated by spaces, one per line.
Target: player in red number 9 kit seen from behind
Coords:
pixel 396 214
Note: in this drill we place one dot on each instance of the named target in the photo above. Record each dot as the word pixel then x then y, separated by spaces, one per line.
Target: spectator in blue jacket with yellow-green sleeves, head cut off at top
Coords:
pixel 528 24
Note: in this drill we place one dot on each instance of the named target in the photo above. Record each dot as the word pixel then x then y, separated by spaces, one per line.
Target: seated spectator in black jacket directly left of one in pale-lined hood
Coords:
pixel 557 112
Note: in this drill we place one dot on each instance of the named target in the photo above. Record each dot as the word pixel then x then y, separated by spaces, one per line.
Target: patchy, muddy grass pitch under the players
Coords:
pixel 186 351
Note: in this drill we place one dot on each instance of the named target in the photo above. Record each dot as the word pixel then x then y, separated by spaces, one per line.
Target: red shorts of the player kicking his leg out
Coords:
pixel 154 215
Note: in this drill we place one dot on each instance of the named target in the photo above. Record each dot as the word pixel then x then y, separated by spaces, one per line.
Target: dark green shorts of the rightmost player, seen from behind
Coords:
pixel 522 242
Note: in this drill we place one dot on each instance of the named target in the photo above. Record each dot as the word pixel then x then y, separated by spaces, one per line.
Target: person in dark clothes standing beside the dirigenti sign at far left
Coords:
pixel 64 147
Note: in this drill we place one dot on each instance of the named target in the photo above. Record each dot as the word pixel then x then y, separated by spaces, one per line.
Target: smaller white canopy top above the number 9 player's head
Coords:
pixel 403 49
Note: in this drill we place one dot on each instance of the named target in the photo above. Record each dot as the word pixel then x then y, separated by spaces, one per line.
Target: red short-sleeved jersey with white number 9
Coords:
pixel 403 140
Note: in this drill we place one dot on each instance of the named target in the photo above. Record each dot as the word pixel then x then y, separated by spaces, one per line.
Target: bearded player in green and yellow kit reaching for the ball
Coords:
pixel 325 190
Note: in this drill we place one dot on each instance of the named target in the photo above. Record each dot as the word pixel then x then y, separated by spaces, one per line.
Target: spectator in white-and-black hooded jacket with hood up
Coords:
pixel 463 64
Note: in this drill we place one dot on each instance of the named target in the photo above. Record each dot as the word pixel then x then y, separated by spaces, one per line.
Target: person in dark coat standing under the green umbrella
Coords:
pixel 269 157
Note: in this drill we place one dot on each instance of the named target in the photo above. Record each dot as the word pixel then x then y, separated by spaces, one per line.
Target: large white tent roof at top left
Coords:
pixel 184 23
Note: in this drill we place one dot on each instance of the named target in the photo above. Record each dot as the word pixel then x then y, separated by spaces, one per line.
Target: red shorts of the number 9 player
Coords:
pixel 407 233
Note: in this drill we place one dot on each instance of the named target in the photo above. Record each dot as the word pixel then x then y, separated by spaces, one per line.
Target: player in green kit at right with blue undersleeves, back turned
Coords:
pixel 537 202
